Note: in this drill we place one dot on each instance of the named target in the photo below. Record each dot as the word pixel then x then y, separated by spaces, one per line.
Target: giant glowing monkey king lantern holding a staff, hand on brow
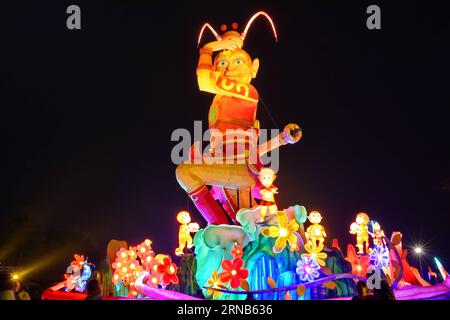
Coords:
pixel 227 76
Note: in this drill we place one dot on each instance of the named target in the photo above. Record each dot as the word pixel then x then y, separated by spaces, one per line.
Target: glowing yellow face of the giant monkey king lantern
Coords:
pixel 236 65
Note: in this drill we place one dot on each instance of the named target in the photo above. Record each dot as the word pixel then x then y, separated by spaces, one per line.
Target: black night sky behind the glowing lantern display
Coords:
pixel 87 117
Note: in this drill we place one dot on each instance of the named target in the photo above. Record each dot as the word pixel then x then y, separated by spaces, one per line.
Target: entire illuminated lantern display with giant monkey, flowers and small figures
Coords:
pixel 257 246
